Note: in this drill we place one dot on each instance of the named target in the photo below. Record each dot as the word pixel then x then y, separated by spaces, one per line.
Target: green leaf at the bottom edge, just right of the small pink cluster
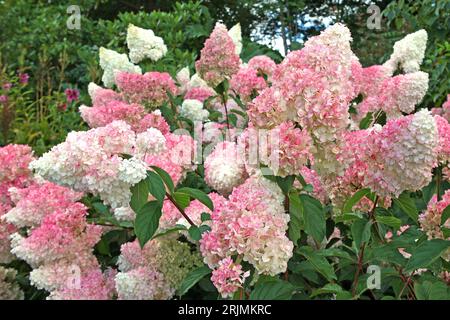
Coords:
pixel 272 290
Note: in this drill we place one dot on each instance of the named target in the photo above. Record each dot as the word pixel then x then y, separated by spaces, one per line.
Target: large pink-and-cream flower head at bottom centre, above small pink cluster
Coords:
pixel 252 224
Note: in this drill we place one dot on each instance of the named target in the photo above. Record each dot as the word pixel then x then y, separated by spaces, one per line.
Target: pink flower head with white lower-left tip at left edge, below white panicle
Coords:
pixel 35 202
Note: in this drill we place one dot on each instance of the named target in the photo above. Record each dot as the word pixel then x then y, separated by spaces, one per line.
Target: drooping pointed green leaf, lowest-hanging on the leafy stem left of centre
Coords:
pixel 147 221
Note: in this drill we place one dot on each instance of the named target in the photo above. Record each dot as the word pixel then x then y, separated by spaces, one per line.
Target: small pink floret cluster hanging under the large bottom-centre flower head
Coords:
pixel 228 277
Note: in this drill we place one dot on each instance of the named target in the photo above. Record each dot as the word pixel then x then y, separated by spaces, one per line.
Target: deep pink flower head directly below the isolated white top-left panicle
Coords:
pixel 149 89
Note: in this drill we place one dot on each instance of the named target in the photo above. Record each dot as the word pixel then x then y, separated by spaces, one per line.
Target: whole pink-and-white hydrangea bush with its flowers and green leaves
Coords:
pixel 315 178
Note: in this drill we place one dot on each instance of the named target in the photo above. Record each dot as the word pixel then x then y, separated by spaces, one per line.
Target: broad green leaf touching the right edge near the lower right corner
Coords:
pixel 426 253
